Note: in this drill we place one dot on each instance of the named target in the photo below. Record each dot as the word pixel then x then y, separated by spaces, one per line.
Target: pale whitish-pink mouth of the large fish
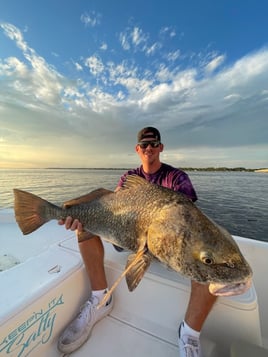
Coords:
pixel 218 289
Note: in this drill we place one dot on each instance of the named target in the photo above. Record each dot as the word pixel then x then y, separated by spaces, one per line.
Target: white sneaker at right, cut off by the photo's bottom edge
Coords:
pixel 189 346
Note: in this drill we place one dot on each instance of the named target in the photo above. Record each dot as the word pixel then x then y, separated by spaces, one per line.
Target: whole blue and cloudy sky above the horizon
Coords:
pixel 80 78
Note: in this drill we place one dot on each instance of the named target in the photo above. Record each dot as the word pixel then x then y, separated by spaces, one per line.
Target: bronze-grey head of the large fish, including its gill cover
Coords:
pixel 201 250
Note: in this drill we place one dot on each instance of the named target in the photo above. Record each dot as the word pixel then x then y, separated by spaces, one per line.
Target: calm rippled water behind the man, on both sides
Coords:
pixel 236 200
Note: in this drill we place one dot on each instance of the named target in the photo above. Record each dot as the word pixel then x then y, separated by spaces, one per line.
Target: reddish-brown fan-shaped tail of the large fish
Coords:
pixel 31 211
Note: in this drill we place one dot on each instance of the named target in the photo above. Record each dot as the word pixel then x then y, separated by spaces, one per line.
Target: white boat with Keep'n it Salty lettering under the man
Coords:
pixel 44 283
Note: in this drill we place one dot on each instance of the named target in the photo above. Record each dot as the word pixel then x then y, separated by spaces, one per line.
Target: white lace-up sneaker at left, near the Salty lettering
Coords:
pixel 77 333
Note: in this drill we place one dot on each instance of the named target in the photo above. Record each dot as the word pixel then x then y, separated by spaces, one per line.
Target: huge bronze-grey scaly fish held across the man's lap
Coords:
pixel 152 222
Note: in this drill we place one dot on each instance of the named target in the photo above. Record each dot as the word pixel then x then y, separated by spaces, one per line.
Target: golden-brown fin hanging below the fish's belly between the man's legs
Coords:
pixel 137 270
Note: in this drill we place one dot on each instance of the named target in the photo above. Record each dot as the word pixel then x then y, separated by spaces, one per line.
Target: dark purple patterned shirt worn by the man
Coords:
pixel 166 176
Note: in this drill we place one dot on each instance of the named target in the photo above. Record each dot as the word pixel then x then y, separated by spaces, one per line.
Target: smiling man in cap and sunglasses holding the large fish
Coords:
pixel 148 148
